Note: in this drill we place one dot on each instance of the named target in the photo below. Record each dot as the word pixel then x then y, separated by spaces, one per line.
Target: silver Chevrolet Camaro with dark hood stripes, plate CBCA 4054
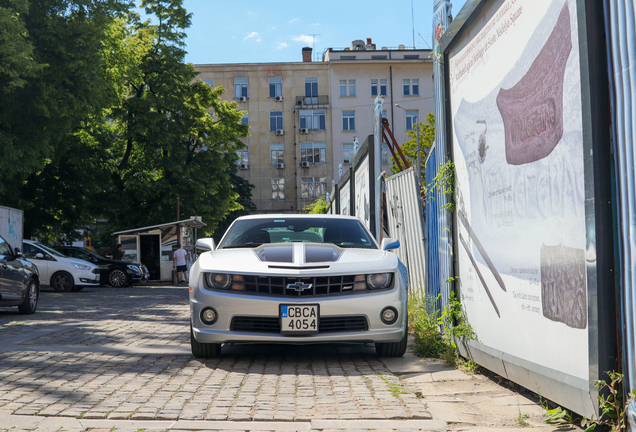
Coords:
pixel 298 279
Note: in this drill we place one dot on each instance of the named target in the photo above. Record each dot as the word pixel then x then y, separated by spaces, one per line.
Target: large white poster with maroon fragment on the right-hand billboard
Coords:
pixel 515 92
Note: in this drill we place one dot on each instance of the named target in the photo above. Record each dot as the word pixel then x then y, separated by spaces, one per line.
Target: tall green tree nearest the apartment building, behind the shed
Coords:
pixel 161 139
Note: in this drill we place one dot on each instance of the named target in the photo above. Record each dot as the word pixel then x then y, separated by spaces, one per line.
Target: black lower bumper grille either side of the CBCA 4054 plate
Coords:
pixel 325 324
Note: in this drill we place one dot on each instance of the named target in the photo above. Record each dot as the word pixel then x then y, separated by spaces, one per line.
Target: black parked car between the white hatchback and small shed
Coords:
pixel 112 272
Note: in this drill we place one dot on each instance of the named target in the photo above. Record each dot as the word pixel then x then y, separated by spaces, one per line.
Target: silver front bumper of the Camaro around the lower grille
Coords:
pixel 230 306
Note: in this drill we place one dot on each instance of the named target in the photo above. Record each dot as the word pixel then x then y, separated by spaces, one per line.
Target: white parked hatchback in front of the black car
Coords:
pixel 59 271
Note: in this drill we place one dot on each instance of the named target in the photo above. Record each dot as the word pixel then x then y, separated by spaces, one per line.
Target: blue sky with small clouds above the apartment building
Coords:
pixel 256 31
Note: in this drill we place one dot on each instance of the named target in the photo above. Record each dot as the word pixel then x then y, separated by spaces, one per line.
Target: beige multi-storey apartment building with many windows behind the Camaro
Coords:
pixel 302 120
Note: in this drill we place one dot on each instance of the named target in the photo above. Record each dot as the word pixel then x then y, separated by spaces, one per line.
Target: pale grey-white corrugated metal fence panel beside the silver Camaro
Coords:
pixel 406 224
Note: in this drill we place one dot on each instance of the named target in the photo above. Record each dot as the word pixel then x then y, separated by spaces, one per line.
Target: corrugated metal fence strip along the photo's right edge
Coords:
pixel 620 27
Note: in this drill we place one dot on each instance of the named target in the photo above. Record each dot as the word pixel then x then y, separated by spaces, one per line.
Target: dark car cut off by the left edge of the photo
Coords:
pixel 19 280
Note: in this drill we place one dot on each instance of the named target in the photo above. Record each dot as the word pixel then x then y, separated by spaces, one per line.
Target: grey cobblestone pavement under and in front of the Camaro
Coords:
pixel 104 353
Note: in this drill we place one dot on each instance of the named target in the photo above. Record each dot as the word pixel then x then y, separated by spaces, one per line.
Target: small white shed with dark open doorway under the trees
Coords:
pixel 153 245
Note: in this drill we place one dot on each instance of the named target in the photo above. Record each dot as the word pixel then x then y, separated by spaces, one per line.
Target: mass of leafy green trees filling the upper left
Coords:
pixel 107 120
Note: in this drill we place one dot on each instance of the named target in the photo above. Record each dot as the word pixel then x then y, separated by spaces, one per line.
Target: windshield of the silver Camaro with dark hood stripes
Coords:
pixel 346 233
